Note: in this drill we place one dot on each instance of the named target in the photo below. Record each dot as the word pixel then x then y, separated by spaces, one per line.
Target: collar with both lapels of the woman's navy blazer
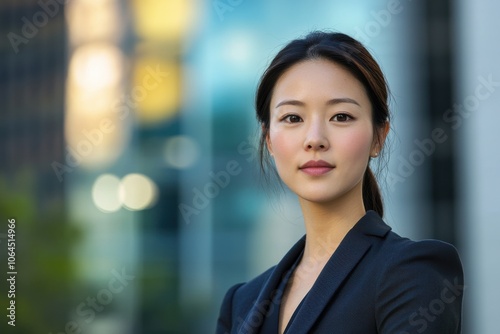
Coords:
pixel 350 251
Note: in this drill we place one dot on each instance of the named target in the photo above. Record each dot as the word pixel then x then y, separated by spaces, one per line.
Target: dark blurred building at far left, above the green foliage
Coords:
pixel 32 76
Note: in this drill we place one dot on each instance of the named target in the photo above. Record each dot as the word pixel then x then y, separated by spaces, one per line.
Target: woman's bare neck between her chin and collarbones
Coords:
pixel 327 224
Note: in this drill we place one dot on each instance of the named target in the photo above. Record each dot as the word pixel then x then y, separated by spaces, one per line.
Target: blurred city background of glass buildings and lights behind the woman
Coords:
pixel 128 151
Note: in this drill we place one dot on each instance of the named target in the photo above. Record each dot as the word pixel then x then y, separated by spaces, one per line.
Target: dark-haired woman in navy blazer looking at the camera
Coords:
pixel 322 104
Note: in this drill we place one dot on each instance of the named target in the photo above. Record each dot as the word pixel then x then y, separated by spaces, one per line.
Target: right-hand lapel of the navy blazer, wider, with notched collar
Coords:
pixel 350 251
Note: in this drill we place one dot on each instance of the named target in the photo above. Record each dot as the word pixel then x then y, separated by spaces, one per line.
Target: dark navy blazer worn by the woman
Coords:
pixel 375 282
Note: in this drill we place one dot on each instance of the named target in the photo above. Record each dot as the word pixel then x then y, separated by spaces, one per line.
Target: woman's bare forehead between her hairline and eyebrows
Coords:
pixel 318 79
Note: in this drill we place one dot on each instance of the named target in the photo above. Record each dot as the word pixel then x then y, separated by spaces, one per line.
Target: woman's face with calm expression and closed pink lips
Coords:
pixel 321 131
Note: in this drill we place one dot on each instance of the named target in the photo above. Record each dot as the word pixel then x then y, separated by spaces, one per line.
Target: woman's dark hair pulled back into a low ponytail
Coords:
pixel 353 56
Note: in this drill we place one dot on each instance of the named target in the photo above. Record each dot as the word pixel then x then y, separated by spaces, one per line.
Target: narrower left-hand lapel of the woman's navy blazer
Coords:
pixel 264 302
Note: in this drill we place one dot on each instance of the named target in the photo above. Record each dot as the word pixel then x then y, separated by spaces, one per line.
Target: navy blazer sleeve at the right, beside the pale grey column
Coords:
pixel 421 290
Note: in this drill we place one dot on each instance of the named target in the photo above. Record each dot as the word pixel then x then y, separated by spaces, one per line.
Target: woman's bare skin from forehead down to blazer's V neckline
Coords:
pixel 320 111
